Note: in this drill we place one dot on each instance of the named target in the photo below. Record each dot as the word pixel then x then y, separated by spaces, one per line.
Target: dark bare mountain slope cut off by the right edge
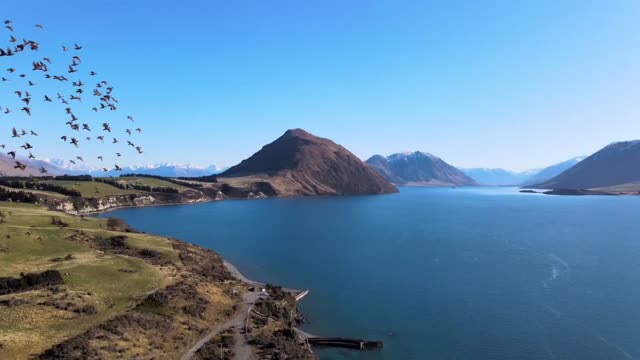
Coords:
pixel 614 165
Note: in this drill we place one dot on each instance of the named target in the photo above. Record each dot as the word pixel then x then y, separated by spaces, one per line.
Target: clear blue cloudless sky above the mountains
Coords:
pixel 514 84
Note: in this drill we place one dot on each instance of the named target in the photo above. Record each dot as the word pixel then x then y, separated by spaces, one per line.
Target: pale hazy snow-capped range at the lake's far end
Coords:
pixel 502 177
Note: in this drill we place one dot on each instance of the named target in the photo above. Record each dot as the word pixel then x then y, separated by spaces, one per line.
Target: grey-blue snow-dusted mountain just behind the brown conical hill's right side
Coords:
pixel 418 169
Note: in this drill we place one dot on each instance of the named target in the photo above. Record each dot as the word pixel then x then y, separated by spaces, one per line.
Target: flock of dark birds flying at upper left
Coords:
pixel 101 95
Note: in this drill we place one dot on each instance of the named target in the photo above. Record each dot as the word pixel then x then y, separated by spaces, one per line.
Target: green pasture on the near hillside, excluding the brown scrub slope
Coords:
pixel 28 242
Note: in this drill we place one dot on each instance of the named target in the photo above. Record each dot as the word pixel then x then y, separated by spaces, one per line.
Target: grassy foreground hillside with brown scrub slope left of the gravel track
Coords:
pixel 108 273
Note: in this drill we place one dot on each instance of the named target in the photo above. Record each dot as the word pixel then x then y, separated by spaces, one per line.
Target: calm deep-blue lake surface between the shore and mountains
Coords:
pixel 466 273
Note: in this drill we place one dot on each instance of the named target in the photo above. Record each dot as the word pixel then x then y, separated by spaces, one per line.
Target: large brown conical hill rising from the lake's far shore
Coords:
pixel 299 163
